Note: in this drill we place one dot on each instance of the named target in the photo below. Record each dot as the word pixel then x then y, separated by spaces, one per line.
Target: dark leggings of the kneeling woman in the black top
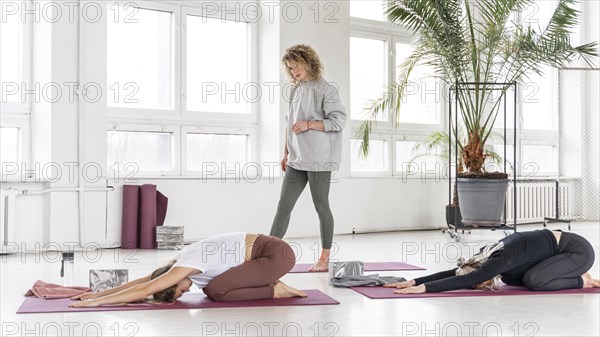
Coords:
pixel 563 270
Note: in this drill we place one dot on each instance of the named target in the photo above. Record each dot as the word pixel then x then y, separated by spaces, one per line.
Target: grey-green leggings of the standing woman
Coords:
pixel 294 182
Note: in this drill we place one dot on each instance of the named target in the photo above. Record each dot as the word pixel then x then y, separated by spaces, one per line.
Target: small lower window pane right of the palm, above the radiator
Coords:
pixel 539 160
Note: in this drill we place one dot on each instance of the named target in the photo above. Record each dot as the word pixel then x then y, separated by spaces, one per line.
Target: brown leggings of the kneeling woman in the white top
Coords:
pixel 271 258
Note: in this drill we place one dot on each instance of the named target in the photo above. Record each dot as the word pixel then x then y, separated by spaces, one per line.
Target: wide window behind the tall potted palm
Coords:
pixel 377 49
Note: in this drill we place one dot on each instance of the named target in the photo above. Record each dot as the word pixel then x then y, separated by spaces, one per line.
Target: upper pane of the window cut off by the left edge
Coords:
pixel 11 52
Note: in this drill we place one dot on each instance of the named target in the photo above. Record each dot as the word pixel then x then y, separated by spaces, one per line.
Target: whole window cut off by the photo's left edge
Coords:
pixel 15 82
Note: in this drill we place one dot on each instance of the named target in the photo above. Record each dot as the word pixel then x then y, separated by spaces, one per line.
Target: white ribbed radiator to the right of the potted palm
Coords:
pixel 537 199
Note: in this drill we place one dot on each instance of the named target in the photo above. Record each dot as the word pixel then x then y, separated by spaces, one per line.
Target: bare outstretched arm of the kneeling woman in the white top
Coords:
pixel 140 291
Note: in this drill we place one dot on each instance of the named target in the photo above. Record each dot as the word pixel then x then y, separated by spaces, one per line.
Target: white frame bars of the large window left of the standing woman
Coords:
pixel 179 121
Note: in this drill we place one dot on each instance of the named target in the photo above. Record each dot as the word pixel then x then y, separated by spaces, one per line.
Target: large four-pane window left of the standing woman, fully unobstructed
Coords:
pixel 186 87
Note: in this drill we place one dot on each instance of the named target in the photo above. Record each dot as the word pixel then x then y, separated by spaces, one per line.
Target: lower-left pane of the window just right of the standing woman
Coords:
pixel 376 161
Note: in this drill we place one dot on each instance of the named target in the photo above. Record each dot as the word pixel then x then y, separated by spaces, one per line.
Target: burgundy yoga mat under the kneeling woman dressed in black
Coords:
pixel 382 292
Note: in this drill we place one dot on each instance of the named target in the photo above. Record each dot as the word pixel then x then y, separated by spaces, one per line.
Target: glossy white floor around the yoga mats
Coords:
pixel 564 315
